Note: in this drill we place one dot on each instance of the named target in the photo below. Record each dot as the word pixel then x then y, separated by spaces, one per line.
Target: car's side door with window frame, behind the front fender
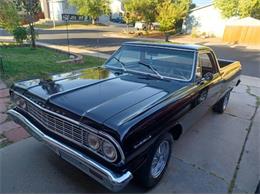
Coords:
pixel 207 91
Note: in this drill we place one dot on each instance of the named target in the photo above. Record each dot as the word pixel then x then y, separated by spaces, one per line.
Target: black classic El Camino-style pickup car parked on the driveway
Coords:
pixel 118 121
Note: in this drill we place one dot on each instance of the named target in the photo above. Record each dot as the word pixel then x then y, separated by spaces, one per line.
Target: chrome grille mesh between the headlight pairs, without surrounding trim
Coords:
pixel 59 126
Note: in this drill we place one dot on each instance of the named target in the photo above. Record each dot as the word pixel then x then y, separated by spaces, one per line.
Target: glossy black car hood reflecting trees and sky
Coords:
pixel 99 94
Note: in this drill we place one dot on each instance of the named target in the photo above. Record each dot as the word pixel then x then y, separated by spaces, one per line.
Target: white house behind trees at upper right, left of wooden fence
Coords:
pixel 206 19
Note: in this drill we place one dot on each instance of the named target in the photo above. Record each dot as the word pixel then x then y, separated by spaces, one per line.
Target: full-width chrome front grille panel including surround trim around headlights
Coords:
pixel 69 128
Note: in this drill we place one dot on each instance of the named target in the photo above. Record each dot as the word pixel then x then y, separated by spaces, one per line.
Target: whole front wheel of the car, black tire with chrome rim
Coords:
pixel 148 176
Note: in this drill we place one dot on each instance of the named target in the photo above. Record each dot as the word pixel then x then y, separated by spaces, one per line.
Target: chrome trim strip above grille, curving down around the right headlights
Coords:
pixel 88 128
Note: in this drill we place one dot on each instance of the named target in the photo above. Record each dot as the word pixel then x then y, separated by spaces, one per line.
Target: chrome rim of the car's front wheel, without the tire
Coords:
pixel 160 159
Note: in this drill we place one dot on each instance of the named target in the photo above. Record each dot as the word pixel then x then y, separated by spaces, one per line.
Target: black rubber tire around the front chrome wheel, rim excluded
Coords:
pixel 144 175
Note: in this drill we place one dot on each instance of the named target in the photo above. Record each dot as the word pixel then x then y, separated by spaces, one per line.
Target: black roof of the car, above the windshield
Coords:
pixel 192 47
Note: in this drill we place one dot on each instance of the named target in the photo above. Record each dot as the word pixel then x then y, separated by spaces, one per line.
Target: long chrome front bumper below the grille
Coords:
pixel 106 177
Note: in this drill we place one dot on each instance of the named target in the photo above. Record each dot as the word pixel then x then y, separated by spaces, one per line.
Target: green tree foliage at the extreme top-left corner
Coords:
pixel 9 18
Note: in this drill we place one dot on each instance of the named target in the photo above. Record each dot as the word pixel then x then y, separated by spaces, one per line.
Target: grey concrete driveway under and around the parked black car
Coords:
pixel 219 154
